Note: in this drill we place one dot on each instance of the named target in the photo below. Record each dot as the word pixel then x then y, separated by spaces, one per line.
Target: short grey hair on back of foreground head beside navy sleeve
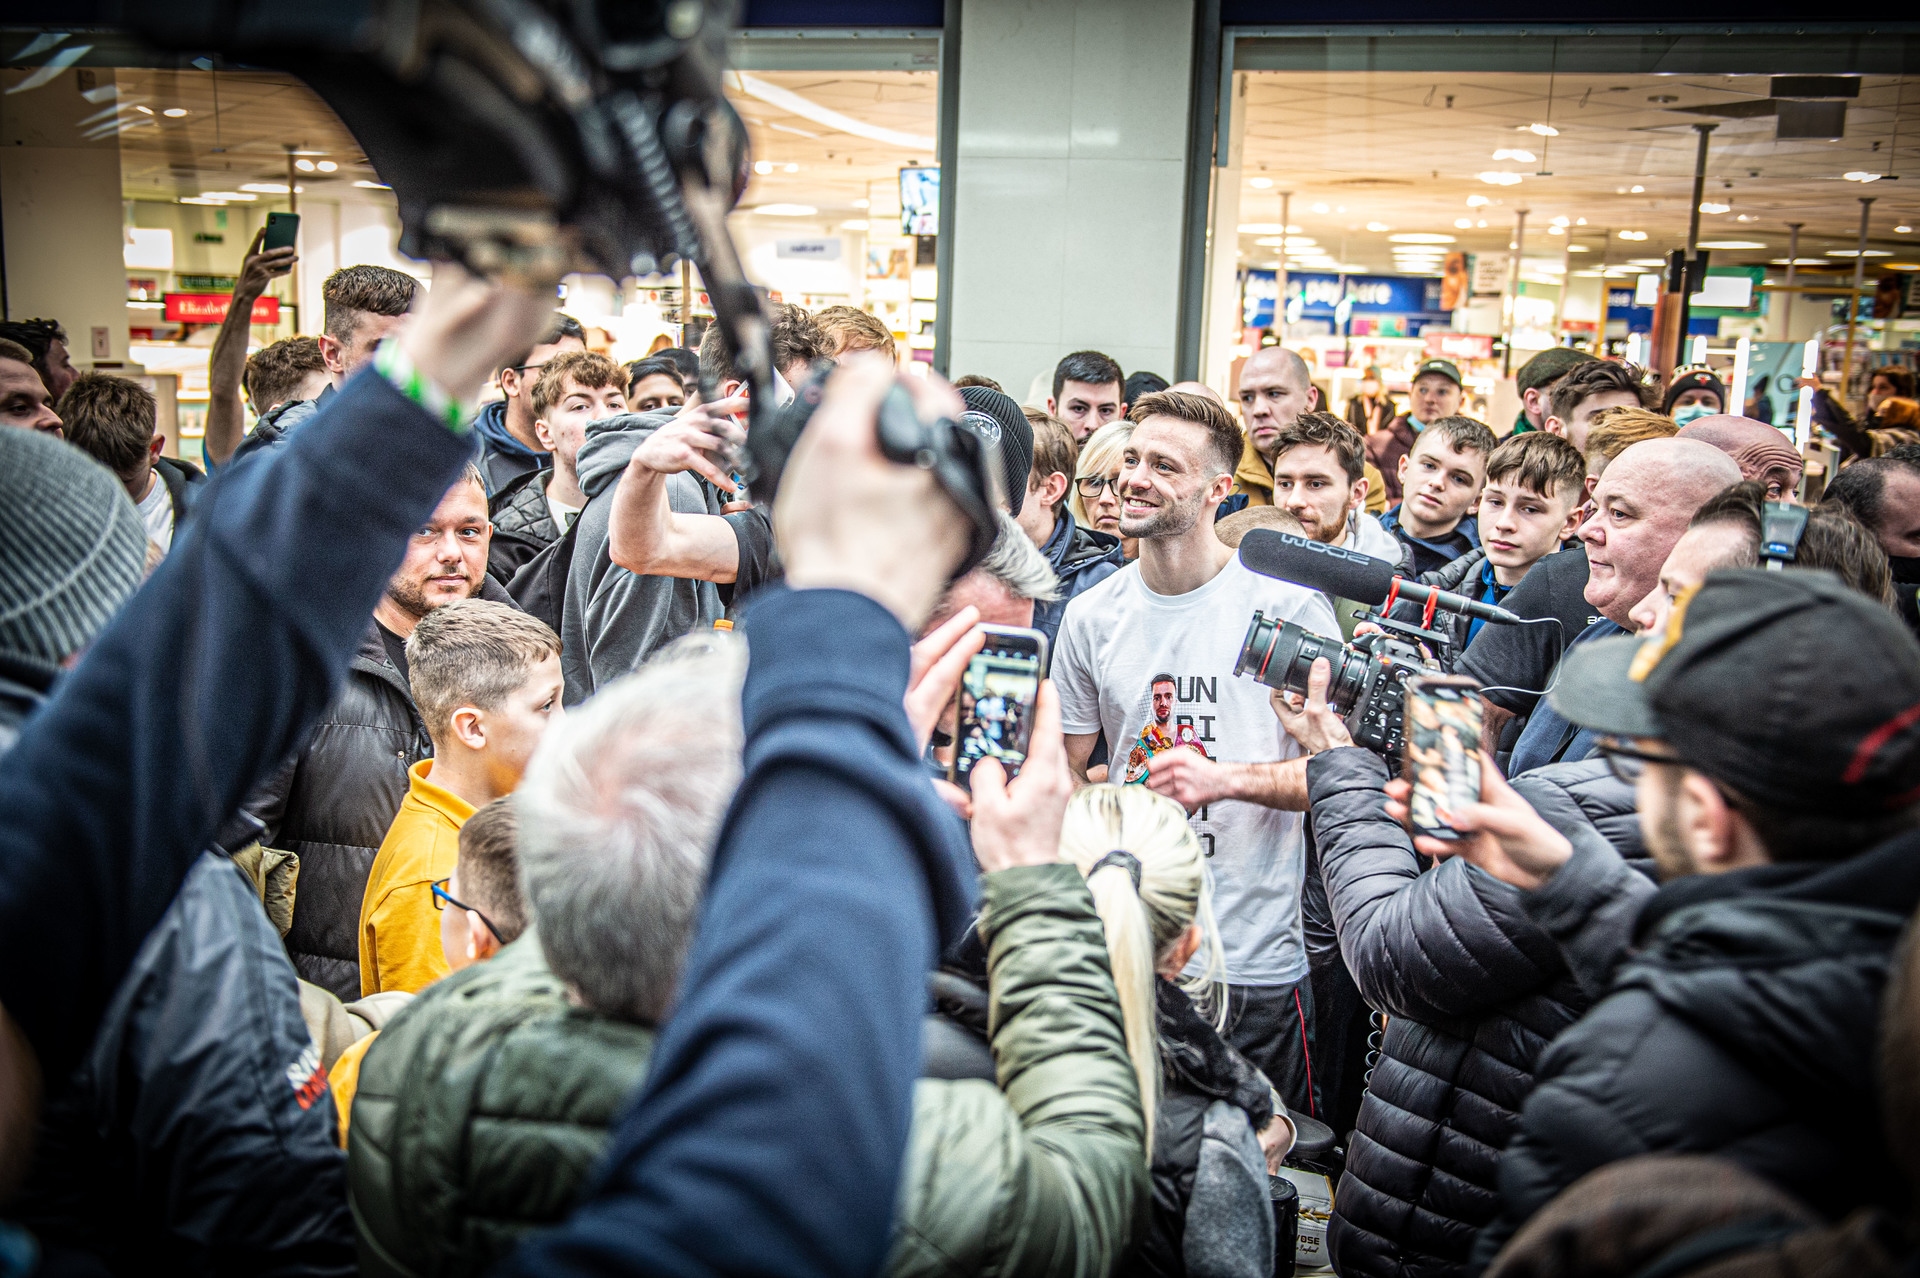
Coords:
pixel 619 815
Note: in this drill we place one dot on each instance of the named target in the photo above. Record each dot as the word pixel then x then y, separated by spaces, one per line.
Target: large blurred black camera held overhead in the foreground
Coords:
pixel 544 137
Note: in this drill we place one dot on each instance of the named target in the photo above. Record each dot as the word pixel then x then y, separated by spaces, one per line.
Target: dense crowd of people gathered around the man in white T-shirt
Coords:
pixel 450 838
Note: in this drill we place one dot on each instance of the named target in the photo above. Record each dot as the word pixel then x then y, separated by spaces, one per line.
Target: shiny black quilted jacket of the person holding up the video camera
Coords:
pixel 1474 991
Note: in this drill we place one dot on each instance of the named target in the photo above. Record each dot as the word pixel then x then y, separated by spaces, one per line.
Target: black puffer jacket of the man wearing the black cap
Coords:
pixel 1740 1022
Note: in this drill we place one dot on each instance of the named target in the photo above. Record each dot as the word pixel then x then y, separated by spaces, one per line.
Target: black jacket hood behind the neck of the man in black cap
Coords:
pixel 1785 966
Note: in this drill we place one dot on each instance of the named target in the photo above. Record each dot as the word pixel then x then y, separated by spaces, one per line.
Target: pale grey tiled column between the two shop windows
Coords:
pixel 1072 160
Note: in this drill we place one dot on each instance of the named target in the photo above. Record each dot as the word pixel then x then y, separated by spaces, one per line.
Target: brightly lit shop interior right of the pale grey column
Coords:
pixel 1491 216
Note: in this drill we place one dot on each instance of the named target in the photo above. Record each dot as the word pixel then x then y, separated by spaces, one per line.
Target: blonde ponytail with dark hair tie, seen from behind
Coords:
pixel 1149 886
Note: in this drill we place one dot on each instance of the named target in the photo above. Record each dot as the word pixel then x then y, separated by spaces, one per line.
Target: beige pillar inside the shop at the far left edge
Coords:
pixel 60 202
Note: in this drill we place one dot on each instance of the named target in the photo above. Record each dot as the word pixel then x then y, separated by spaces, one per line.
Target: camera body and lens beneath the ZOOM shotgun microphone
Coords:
pixel 1370 676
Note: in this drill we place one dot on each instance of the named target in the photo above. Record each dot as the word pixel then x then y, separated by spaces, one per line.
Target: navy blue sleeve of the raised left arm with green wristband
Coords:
pixel 203 684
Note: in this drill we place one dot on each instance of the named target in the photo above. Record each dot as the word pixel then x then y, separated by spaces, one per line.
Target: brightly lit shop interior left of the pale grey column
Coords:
pixel 842 210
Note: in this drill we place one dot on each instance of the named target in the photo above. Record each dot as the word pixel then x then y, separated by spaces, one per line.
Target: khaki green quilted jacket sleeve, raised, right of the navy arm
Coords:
pixel 1047 1173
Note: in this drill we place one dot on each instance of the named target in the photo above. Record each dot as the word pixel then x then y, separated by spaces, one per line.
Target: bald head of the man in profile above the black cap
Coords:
pixel 1641 509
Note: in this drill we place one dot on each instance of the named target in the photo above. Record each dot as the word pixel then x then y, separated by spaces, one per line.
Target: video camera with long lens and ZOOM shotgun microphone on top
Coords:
pixel 1370 676
